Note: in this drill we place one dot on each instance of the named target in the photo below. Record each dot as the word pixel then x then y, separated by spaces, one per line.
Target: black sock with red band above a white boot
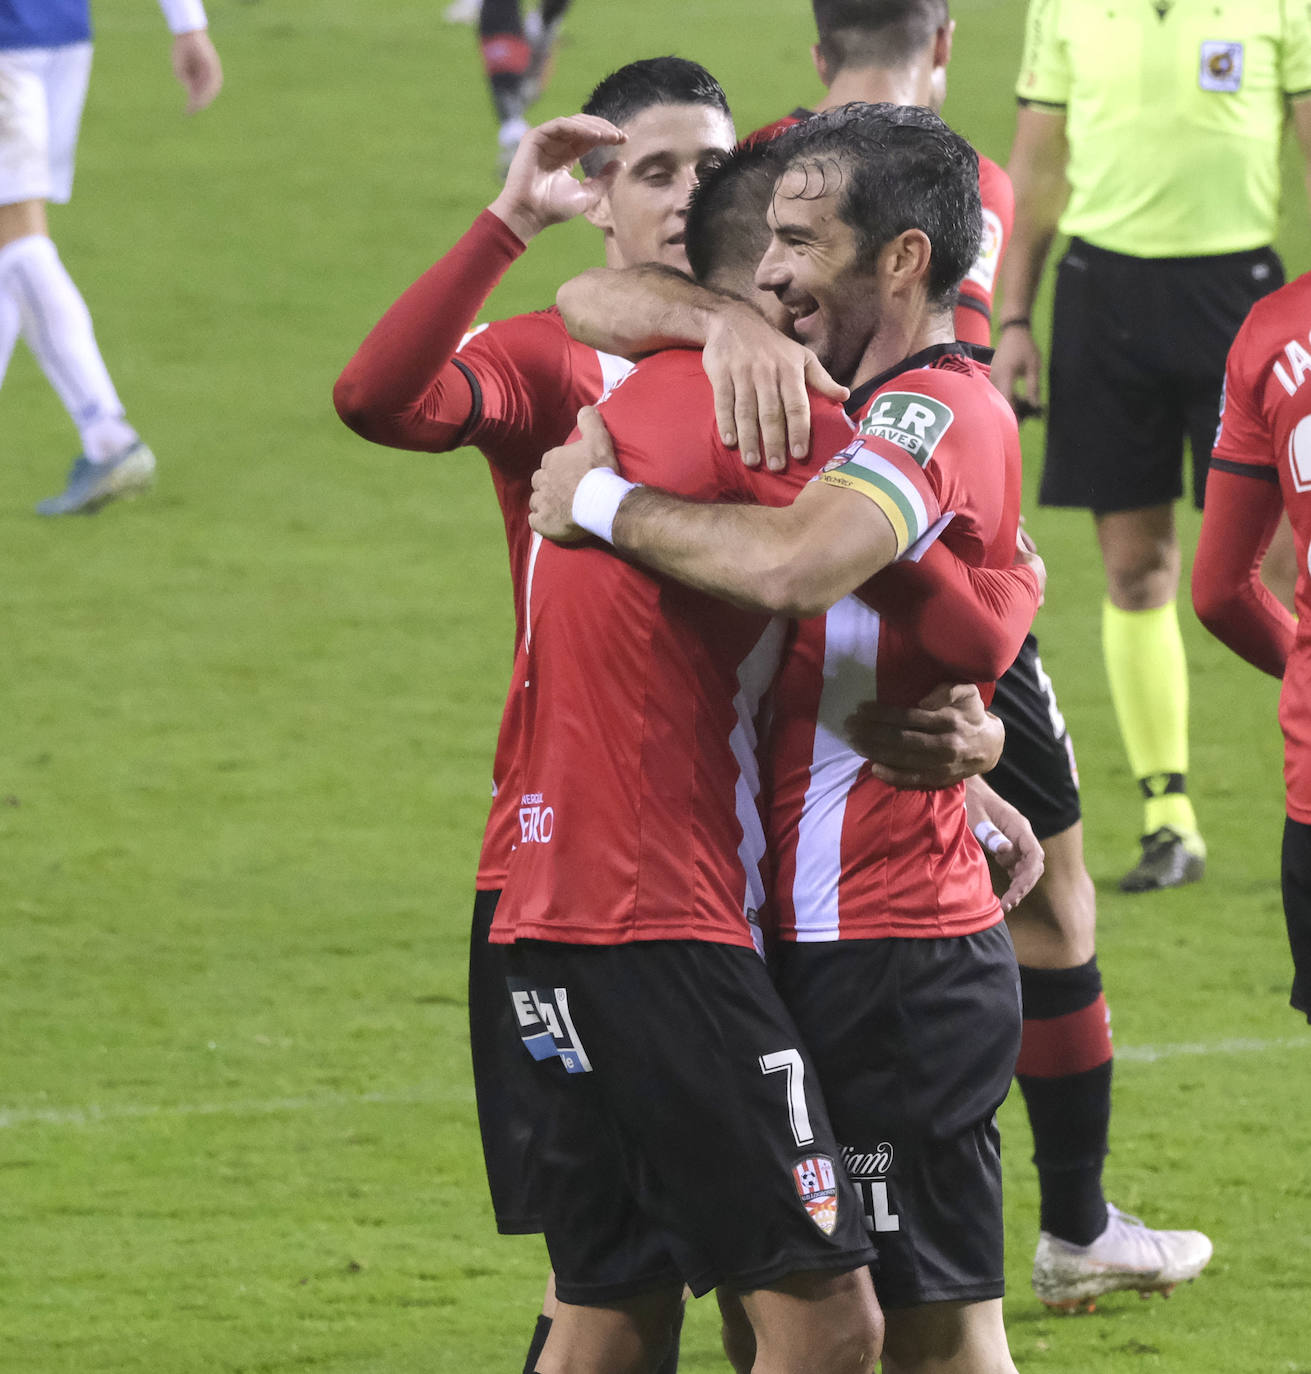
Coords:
pixel 1064 1072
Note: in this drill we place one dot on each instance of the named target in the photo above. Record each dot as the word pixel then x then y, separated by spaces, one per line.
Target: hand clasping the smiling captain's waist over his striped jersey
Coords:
pixel 948 739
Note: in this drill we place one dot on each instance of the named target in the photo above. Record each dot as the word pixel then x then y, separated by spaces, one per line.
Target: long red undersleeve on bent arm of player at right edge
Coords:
pixel 1240 517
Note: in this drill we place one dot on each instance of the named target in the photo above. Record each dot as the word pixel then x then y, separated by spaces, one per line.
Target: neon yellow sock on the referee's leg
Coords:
pixel 1150 688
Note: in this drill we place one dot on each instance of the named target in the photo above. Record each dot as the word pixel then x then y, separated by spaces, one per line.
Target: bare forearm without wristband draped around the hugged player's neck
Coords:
pixel 637 311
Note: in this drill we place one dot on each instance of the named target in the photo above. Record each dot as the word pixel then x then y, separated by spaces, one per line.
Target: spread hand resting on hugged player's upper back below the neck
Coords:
pixel 761 383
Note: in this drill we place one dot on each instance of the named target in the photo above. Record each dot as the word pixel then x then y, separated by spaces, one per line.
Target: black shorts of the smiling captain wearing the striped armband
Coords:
pixel 916 1042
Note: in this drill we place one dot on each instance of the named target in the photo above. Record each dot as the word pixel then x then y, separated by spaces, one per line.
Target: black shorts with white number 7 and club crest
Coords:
pixel 685 1138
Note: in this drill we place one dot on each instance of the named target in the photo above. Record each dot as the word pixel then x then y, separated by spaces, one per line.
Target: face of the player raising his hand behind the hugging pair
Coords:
pixel 644 210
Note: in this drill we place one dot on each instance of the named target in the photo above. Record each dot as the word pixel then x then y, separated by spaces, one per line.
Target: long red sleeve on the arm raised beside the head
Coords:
pixel 402 388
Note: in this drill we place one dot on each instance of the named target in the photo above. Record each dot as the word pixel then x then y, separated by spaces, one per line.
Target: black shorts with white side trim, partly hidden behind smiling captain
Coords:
pixel 1037 773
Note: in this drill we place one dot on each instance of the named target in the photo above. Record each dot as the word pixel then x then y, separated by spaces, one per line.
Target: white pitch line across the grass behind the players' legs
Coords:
pixel 93 1115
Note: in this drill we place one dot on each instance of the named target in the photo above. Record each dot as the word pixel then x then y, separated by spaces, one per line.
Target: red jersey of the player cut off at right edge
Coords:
pixel 1266 435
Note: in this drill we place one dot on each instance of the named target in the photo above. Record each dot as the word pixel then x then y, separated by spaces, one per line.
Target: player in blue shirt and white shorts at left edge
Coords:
pixel 45 69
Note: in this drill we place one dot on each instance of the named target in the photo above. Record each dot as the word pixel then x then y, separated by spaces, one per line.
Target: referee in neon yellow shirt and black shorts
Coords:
pixel 1150 133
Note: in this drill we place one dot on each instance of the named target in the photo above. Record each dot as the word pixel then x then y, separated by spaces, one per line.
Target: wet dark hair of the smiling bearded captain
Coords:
pixel 897 168
